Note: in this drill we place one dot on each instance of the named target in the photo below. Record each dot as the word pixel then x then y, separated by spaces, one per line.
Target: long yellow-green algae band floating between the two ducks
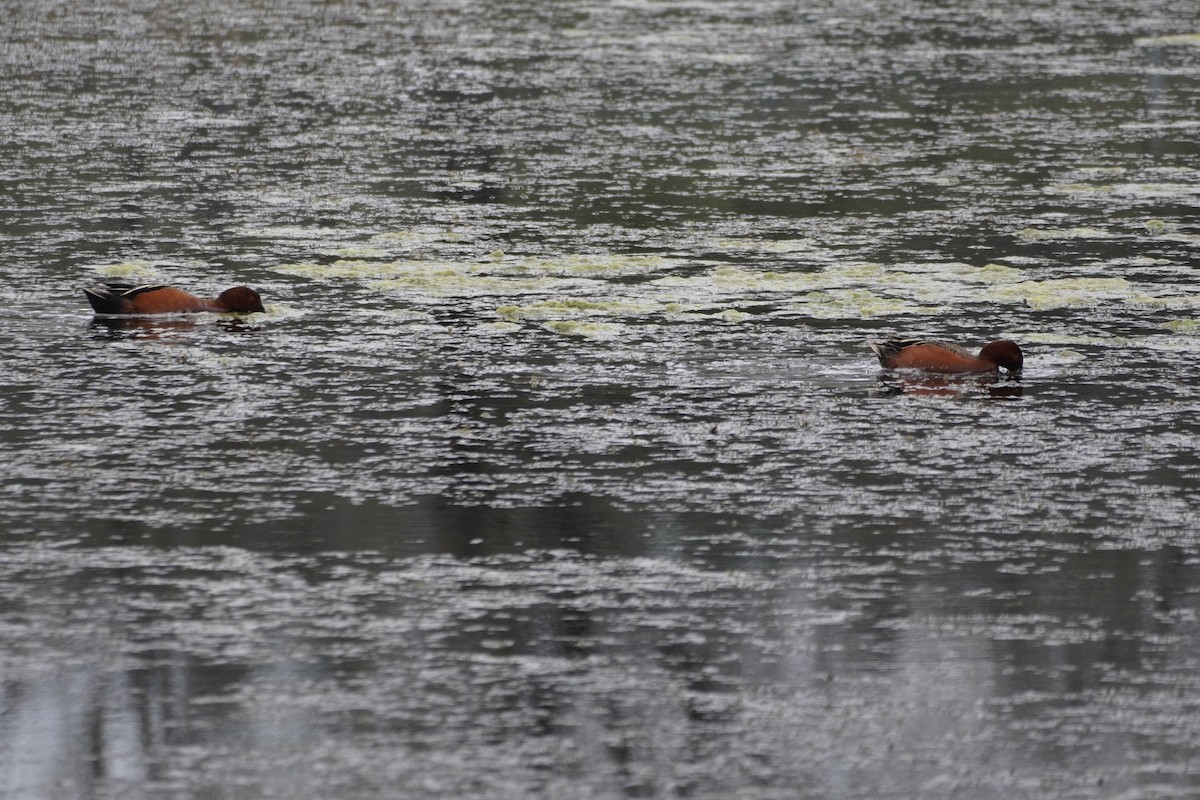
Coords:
pixel 579 287
